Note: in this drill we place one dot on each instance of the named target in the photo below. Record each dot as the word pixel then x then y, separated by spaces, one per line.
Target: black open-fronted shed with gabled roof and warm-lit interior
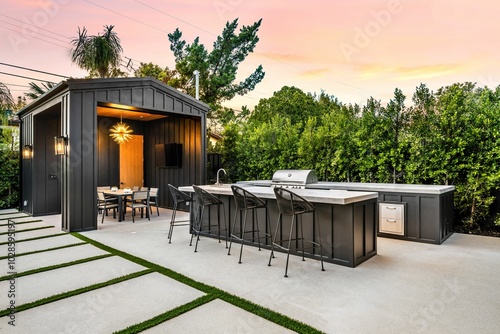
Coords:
pixel 169 145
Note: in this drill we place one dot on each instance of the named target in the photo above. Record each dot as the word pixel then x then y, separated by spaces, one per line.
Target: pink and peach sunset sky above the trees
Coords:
pixel 350 49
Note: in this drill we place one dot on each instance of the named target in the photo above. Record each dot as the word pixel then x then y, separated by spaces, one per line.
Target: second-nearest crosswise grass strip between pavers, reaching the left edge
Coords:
pixel 75 292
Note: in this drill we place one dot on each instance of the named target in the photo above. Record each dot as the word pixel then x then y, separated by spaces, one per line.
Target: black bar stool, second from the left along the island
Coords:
pixel 204 199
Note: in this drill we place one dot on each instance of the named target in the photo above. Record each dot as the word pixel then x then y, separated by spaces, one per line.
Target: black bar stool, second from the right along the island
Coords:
pixel 246 201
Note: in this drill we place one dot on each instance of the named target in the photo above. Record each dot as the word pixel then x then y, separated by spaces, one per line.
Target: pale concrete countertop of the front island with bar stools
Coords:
pixel 341 197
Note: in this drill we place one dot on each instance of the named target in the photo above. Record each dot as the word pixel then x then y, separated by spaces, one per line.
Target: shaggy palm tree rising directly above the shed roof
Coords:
pixel 101 53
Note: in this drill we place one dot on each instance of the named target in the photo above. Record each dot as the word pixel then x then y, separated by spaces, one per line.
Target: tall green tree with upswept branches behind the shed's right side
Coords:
pixel 218 68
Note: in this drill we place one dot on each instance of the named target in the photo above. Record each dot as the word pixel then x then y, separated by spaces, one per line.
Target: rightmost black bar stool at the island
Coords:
pixel 291 204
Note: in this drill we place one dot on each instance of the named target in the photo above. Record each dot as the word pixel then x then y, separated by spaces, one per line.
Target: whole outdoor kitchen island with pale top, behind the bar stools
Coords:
pixel 348 221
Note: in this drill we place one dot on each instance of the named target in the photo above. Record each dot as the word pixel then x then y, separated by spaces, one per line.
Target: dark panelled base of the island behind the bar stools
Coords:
pixel 348 232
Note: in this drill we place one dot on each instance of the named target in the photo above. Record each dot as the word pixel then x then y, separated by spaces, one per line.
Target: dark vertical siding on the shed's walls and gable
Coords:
pixel 92 158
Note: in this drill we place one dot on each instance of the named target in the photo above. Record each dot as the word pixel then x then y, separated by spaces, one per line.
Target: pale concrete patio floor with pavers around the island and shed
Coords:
pixel 407 288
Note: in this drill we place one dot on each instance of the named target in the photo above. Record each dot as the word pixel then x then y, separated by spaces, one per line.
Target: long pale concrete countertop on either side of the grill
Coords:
pixel 359 186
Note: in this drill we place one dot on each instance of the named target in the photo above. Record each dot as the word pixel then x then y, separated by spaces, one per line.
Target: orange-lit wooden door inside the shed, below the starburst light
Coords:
pixel 132 162
